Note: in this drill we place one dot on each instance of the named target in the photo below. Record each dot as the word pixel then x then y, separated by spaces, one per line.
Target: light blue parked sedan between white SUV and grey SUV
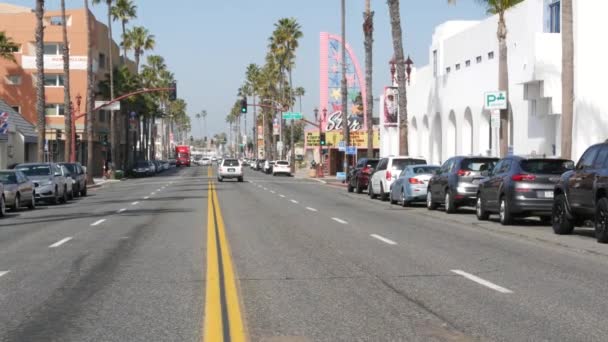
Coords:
pixel 412 184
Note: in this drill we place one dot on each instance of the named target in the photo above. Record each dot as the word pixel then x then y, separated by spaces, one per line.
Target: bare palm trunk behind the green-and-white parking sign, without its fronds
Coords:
pixel 503 82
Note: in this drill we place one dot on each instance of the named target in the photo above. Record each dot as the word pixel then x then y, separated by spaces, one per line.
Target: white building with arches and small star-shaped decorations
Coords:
pixel 445 98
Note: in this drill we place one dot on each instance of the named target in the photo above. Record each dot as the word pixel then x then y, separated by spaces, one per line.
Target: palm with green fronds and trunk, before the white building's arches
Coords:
pixel 500 7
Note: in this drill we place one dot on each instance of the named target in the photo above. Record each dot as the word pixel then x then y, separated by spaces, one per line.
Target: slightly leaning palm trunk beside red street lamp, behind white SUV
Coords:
pixel 393 7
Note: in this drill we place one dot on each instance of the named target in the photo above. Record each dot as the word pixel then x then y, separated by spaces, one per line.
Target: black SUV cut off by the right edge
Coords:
pixel 582 194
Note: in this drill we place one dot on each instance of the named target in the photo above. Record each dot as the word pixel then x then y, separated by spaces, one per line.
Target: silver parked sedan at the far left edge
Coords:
pixel 18 190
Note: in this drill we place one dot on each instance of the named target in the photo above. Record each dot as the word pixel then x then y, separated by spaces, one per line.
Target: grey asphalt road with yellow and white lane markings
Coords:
pixel 287 259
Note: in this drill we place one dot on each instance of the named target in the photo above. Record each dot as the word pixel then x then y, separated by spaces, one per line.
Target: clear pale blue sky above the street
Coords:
pixel 209 43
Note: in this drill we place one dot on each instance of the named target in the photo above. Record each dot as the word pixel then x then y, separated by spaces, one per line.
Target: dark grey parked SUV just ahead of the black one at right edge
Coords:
pixel 520 187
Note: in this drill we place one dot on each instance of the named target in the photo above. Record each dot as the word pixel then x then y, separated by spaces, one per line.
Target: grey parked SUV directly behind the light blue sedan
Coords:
pixel 456 182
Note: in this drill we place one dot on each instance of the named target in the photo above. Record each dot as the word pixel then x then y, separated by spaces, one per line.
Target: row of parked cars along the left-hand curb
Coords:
pixel 25 185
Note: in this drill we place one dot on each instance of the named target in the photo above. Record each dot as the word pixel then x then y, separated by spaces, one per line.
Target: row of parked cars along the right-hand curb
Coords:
pixel 555 190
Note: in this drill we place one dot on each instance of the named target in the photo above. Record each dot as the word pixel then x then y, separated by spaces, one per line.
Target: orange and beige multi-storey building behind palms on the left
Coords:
pixel 18 80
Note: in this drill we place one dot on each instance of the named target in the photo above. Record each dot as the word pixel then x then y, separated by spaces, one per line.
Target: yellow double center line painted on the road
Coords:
pixel 223 320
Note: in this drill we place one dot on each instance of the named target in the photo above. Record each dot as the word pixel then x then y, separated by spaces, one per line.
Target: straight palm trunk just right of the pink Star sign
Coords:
pixel 368 30
